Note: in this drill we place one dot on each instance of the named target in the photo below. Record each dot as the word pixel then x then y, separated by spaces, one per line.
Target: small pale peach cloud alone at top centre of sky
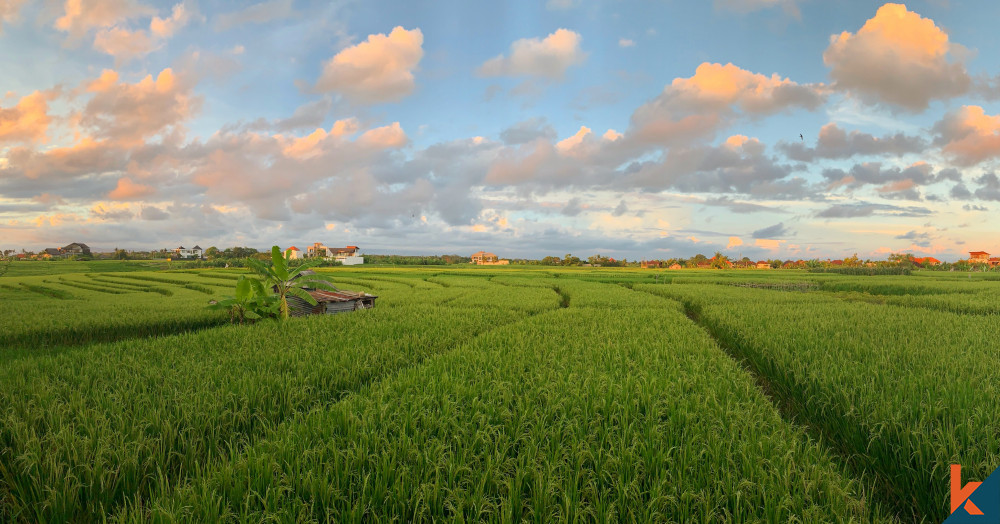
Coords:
pixel 548 57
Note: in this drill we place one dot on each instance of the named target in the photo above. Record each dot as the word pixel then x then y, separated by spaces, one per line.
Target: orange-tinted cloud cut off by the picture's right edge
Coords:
pixel 969 136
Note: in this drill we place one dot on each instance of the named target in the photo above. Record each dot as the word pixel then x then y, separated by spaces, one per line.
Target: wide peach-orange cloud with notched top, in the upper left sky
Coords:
pixel 132 112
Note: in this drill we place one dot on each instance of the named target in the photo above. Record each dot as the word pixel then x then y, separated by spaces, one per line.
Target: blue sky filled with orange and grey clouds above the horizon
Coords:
pixel 645 129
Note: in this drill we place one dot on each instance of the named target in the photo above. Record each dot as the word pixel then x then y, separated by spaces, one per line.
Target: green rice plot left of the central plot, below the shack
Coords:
pixel 117 422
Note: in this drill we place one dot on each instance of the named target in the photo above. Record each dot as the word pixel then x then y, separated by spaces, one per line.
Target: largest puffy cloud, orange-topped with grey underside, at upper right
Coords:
pixel 899 58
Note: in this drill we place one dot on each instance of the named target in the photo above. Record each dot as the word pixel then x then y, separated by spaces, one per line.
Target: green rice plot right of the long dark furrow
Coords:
pixel 899 390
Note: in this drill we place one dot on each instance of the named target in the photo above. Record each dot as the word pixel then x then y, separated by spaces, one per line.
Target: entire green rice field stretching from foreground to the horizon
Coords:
pixel 497 394
